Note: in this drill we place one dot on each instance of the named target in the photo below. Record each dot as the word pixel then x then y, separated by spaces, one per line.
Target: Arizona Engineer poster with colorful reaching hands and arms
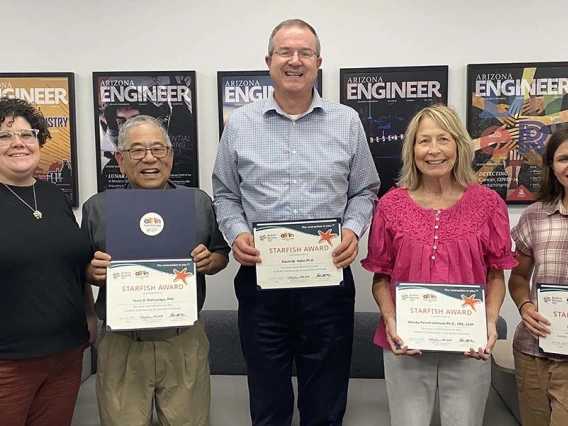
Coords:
pixel 512 111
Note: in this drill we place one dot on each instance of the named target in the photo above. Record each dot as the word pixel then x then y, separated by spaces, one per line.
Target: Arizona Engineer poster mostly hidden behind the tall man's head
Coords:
pixel 238 88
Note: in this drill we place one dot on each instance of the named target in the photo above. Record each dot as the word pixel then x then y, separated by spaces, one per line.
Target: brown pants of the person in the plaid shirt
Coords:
pixel 543 390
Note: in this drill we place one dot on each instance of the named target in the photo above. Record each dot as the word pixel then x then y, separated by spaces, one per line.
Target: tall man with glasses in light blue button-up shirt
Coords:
pixel 295 156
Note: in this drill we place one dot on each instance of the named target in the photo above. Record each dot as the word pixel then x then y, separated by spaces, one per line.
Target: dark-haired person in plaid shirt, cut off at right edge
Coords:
pixel 541 239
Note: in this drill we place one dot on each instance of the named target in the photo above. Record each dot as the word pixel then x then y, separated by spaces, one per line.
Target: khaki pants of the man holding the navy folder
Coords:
pixel 174 372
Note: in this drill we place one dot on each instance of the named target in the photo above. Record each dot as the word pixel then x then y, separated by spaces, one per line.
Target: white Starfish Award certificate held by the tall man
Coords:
pixel 297 254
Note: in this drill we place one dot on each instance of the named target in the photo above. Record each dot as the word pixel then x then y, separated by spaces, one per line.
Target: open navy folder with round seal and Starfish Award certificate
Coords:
pixel 151 282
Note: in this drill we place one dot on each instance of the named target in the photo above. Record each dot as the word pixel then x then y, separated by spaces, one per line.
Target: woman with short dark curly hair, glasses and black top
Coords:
pixel 44 299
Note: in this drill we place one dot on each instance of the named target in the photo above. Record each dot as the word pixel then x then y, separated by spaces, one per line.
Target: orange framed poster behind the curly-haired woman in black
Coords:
pixel 53 94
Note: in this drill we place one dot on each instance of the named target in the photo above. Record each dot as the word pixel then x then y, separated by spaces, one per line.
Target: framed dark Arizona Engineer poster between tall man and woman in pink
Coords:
pixel 386 100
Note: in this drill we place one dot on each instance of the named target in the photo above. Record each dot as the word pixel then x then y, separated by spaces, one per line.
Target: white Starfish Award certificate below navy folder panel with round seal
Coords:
pixel 147 294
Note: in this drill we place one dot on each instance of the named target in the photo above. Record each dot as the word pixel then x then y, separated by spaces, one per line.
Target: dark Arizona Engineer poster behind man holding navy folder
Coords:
pixel 168 96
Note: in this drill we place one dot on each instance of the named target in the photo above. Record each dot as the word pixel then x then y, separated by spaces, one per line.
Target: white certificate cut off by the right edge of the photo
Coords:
pixel 553 304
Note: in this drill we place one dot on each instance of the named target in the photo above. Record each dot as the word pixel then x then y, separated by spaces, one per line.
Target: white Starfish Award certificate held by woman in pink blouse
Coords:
pixel 441 317
